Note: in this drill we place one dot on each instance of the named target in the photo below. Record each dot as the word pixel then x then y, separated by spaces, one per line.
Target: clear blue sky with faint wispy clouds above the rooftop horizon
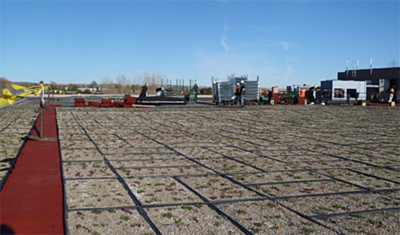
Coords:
pixel 283 42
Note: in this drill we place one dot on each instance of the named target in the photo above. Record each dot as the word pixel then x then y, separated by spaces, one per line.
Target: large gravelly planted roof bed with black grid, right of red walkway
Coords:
pixel 273 170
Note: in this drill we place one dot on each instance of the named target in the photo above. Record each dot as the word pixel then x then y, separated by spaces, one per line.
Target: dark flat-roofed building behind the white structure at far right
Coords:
pixel 379 80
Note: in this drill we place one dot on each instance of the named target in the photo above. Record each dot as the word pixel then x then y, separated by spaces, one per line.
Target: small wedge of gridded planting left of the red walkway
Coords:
pixel 15 123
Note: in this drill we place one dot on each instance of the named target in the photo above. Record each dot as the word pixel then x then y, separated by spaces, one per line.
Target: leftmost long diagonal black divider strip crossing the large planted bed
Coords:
pixel 133 197
